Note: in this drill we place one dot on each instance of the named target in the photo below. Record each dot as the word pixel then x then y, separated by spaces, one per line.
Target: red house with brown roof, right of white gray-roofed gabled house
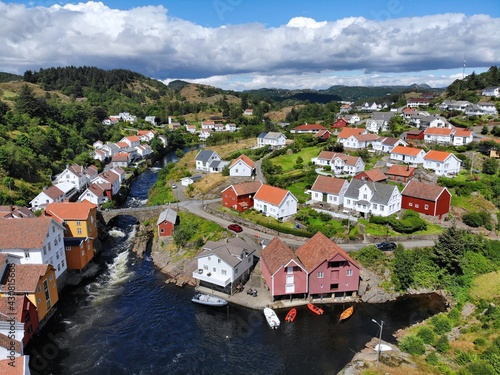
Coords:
pixel 427 199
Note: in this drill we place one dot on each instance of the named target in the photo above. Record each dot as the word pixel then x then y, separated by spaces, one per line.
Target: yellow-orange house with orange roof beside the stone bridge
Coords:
pixel 80 223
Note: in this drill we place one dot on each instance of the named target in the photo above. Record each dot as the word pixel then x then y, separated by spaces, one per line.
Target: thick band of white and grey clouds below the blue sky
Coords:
pixel 148 40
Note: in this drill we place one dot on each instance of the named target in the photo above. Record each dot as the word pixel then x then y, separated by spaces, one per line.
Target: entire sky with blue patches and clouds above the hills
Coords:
pixel 251 44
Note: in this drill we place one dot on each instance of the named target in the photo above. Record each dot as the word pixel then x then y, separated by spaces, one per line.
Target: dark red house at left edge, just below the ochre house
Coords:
pixel 24 312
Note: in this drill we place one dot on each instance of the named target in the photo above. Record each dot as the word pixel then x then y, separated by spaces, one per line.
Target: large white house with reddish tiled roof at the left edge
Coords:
pixel 38 240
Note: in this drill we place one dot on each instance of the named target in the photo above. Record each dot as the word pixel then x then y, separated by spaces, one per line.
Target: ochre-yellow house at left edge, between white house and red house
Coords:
pixel 37 282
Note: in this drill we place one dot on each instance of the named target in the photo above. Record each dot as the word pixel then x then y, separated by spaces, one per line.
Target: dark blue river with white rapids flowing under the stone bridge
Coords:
pixel 126 320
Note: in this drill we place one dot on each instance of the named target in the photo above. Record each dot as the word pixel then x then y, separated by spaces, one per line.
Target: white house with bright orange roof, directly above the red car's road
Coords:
pixel 275 202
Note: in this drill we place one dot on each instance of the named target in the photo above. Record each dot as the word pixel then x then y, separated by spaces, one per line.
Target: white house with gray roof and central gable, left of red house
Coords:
pixel 372 198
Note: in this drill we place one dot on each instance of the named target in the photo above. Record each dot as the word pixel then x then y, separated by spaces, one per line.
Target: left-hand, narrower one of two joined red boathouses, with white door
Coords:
pixel 282 270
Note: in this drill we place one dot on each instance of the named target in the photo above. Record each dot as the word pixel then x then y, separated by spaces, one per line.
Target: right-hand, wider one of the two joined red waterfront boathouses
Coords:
pixel 331 270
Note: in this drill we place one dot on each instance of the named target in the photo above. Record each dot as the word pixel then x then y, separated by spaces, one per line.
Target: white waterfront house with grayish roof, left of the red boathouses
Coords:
pixel 224 264
